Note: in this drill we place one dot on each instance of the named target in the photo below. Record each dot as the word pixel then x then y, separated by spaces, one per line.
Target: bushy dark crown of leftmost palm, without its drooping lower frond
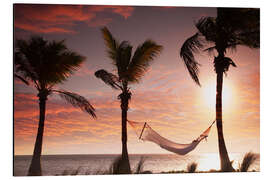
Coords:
pixel 45 62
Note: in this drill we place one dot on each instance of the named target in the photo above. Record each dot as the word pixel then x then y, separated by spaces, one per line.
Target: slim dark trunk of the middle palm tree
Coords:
pixel 124 165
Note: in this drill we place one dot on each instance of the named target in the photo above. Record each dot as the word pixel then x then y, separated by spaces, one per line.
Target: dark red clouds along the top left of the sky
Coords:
pixel 62 18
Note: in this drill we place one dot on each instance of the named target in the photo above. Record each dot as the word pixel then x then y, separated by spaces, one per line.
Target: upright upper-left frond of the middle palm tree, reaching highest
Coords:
pixel 111 43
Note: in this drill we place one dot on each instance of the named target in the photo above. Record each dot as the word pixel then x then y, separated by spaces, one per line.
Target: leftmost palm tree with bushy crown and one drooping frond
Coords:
pixel 44 64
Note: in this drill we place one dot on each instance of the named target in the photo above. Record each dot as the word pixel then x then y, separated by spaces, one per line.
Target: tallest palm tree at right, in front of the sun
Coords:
pixel 231 27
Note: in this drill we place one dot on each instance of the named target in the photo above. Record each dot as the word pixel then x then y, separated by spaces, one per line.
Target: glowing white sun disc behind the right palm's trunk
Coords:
pixel 209 94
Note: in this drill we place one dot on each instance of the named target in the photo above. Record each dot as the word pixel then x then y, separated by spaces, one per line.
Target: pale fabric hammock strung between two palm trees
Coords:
pixel 146 133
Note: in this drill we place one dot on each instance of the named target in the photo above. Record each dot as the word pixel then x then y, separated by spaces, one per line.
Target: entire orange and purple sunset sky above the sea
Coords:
pixel 166 98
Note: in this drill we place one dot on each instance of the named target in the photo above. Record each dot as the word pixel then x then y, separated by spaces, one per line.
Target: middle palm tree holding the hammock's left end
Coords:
pixel 130 69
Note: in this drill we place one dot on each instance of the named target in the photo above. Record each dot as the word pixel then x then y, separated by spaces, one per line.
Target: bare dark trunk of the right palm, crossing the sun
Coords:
pixel 225 163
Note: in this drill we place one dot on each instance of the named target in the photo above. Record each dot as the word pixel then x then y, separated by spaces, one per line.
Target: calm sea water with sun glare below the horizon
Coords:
pixel 91 164
